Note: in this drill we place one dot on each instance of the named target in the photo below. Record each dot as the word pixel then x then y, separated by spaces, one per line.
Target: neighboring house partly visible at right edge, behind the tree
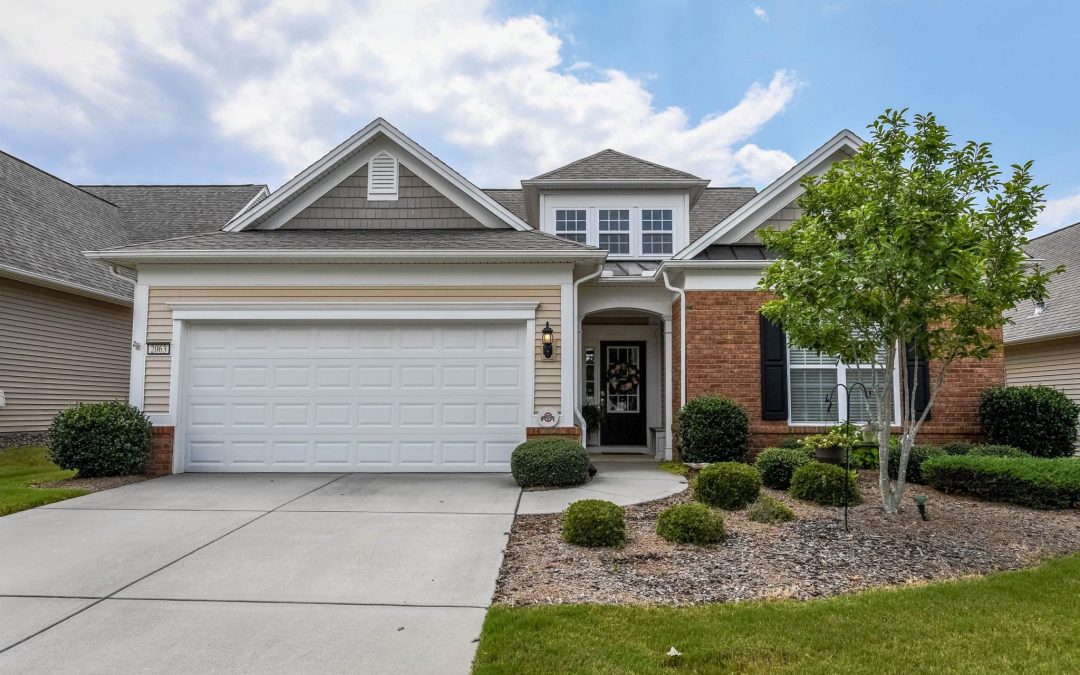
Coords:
pixel 1043 343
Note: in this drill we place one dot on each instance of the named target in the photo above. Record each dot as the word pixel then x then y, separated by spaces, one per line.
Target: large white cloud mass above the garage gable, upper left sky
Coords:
pixel 288 80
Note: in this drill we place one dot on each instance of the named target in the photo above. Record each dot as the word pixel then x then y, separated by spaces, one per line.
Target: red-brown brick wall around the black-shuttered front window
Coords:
pixel 724 359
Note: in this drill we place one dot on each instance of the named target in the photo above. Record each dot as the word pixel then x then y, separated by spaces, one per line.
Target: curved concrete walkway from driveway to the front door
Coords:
pixel 624 480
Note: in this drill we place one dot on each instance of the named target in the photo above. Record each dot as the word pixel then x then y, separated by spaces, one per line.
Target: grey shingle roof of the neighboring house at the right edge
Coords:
pixel 1061 315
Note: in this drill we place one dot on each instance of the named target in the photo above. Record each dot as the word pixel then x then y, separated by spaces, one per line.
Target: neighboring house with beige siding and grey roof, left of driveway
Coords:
pixel 65 319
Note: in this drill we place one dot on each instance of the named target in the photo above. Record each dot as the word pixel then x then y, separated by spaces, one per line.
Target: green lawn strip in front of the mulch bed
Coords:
pixel 1024 622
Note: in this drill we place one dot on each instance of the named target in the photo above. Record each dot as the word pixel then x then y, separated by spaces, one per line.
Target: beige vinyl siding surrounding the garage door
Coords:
pixel 160 322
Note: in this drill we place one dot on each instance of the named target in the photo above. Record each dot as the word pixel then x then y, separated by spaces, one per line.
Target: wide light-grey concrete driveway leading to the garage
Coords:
pixel 256 573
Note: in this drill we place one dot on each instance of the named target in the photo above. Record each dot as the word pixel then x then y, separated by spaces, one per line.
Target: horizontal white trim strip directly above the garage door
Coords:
pixel 353 312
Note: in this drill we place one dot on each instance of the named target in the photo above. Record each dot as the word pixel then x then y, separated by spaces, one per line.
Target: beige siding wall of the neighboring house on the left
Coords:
pixel 59 348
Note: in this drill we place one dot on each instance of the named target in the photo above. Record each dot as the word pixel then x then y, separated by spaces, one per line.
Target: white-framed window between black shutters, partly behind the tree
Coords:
pixel 814 377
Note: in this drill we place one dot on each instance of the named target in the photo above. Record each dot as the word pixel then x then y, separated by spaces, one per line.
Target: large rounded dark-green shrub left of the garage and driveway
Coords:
pixel 101 439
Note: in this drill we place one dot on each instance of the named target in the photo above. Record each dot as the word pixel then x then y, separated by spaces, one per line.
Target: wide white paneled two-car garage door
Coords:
pixel 310 397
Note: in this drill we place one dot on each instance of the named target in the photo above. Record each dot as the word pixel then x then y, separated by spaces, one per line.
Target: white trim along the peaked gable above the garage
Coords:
pixel 360 139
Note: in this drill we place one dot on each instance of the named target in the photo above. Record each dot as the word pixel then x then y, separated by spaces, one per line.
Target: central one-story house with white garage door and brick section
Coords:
pixel 381 313
